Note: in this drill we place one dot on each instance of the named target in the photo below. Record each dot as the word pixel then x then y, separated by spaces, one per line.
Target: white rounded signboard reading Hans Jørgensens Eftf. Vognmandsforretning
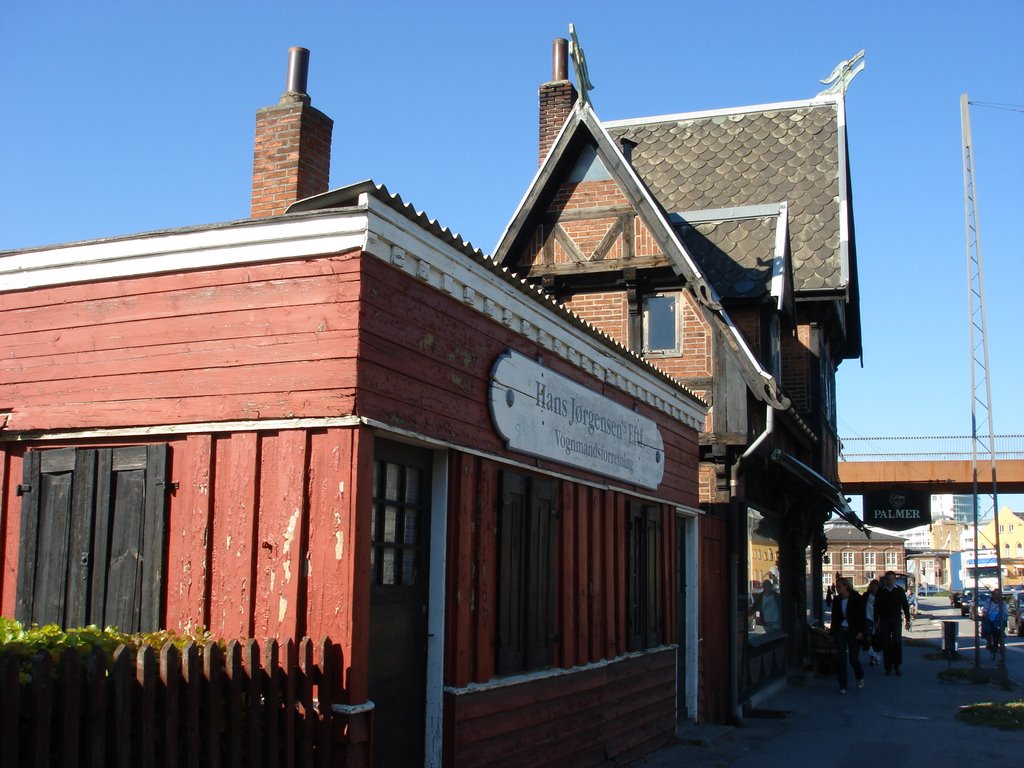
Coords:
pixel 544 414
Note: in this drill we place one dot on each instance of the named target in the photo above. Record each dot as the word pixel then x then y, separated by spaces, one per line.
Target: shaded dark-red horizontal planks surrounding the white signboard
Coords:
pixel 433 374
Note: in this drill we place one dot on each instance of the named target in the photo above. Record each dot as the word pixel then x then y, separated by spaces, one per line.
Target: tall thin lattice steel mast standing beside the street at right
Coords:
pixel 983 432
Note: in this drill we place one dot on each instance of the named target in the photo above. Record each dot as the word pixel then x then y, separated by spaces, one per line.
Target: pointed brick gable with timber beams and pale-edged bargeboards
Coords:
pixel 589 223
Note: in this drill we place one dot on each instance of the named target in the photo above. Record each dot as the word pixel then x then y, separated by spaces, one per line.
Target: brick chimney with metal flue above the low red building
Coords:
pixel 292 157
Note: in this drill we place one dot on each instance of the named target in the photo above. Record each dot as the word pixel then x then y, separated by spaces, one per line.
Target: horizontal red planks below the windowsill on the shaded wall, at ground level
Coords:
pixel 598 716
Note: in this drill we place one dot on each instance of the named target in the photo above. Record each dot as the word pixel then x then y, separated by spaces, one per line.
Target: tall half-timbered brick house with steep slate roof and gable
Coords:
pixel 720 247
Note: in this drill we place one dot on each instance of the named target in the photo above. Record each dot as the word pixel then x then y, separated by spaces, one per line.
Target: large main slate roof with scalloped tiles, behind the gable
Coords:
pixel 779 154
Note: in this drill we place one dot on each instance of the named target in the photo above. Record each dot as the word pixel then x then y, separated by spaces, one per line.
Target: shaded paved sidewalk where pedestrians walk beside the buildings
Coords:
pixel 906 721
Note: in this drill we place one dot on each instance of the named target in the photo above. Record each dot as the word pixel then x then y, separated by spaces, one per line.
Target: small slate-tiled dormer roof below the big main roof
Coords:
pixel 737 257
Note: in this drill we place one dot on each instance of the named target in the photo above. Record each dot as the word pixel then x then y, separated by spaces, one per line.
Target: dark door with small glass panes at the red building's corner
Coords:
pixel 399 604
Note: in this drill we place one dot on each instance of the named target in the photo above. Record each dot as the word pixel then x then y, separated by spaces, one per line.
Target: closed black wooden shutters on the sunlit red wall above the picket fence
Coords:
pixel 93 537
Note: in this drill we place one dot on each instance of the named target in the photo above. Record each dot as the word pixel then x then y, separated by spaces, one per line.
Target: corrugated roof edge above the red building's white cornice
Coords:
pixel 348 197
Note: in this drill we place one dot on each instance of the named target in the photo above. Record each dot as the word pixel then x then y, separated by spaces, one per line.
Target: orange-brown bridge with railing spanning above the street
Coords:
pixel 945 464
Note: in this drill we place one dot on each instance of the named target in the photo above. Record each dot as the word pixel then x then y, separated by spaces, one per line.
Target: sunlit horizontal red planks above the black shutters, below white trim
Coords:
pixel 209 346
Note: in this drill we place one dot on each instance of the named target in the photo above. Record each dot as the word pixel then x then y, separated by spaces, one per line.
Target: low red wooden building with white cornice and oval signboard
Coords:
pixel 345 421
